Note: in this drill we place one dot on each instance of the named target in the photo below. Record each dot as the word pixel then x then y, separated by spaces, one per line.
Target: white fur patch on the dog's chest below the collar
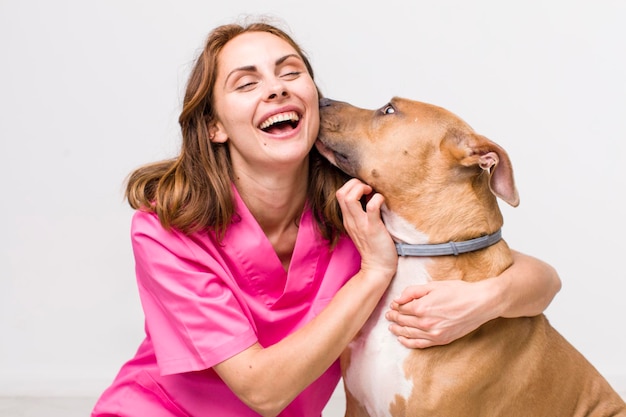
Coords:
pixel 376 373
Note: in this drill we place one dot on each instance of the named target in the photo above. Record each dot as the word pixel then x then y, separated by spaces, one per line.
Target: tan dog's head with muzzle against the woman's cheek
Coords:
pixel 411 147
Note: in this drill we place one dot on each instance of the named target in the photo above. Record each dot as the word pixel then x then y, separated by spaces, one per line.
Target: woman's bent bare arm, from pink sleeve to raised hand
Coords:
pixel 268 379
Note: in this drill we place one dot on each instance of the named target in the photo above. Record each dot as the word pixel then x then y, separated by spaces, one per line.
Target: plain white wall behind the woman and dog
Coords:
pixel 89 90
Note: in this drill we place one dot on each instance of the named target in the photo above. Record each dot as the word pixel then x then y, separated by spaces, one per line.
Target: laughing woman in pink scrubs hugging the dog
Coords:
pixel 250 286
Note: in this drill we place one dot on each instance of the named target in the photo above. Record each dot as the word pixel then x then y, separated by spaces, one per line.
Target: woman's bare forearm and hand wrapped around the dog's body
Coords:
pixel 440 312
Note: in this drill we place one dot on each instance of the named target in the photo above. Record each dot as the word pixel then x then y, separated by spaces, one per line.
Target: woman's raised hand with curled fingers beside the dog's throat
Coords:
pixel 366 228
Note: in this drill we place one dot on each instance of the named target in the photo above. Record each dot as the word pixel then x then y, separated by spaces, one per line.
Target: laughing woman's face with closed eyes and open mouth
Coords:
pixel 266 104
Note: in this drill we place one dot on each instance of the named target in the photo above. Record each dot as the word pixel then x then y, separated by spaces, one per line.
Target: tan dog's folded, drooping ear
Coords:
pixel 477 150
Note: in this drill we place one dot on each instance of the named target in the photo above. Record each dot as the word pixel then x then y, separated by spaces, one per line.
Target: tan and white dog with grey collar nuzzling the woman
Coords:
pixel 441 181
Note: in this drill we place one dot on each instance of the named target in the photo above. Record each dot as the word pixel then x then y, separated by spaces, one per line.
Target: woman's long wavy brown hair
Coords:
pixel 192 192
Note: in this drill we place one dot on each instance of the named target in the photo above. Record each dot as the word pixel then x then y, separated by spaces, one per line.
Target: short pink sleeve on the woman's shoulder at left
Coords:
pixel 188 295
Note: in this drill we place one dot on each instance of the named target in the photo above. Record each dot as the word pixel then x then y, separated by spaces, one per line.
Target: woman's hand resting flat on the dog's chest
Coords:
pixel 439 312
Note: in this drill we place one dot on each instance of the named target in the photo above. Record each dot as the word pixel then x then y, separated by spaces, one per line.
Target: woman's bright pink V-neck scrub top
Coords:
pixel 205 302
